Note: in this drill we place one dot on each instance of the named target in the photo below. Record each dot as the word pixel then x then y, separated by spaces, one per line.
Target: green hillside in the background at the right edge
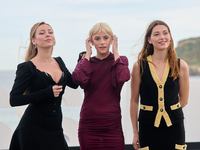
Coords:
pixel 189 50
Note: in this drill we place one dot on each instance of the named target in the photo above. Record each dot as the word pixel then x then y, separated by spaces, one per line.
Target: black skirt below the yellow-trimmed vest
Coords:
pixel 162 138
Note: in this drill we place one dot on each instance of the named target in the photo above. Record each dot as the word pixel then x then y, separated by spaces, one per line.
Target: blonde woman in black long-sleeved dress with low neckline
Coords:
pixel 40 82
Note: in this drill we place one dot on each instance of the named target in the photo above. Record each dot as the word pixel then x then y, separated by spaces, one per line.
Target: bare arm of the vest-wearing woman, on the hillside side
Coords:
pixel 183 83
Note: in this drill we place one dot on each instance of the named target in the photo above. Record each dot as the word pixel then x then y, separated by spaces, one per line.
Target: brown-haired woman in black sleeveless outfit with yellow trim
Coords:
pixel 161 80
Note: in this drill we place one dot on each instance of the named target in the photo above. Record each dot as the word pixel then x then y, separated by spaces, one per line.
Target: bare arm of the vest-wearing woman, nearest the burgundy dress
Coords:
pixel 135 85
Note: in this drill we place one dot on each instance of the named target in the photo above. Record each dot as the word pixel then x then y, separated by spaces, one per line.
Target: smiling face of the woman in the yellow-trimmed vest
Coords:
pixel 160 37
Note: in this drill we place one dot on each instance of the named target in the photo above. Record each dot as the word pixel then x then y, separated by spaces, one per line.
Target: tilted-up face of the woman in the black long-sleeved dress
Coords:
pixel 44 37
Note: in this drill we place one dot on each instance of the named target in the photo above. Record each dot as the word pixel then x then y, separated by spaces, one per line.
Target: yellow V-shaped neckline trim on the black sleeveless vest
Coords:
pixel 153 71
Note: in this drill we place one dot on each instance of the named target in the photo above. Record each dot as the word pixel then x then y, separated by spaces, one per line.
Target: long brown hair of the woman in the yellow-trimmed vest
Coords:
pixel 148 49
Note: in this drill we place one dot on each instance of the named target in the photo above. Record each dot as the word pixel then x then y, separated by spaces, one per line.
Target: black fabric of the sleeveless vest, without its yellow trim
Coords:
pixel 149 96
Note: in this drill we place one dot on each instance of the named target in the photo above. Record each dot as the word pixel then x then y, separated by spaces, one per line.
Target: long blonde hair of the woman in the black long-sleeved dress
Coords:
pixel 32 49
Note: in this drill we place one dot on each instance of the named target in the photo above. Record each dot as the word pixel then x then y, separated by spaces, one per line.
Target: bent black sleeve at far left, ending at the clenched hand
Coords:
pixel 22 81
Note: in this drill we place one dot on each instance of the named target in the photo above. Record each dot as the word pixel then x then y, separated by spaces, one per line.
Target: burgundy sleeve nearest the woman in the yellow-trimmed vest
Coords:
pixel 121 72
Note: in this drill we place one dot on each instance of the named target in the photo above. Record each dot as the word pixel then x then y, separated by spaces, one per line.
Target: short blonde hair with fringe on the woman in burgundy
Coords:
pixel 100 27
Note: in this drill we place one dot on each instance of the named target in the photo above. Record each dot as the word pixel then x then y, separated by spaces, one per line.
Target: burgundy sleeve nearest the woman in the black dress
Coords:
pixel 82 72
